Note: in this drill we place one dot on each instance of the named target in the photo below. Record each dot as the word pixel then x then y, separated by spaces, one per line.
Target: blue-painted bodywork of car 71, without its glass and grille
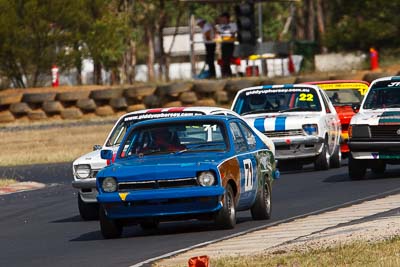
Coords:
pixel 173 201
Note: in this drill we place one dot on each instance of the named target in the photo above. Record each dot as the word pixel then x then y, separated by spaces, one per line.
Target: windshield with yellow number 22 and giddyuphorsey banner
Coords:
pixel 277 100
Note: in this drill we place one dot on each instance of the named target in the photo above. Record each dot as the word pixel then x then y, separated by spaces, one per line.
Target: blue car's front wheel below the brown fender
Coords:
pixel 226 216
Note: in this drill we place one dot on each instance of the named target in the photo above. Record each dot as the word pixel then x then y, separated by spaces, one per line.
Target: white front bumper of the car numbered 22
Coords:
pixel 298 147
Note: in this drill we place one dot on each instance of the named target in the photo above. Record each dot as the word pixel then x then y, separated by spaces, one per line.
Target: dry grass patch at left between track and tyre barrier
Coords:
pixel 50 145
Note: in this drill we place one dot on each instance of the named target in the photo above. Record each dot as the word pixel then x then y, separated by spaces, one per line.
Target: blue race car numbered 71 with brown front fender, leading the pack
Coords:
pixel 198 167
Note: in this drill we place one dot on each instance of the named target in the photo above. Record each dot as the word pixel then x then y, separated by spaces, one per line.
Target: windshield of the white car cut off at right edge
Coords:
pixel 383 97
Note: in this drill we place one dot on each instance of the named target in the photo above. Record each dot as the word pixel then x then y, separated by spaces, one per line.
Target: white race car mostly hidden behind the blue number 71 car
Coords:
pixel 86 167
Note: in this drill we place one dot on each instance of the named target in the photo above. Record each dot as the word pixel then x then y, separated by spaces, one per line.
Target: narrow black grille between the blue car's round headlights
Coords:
pixel 158 184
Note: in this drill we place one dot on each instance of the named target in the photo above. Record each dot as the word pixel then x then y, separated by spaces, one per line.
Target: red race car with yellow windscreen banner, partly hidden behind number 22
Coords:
pixel 346 96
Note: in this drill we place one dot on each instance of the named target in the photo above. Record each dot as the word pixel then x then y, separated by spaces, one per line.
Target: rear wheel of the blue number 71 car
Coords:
pixel 261 210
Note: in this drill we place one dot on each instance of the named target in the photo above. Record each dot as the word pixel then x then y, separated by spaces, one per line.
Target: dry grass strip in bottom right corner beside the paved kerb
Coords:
pixel 384 253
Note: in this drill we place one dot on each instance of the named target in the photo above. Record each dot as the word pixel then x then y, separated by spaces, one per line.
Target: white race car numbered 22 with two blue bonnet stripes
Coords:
pixel 299 119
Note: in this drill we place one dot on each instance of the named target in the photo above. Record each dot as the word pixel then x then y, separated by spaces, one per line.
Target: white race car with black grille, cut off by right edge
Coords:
pixel 374 132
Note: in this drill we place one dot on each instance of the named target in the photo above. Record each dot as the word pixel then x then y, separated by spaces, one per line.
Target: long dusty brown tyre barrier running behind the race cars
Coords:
pixel 83 101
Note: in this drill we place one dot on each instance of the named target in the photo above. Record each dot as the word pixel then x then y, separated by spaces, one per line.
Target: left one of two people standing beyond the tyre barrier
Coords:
pixel 208 32
